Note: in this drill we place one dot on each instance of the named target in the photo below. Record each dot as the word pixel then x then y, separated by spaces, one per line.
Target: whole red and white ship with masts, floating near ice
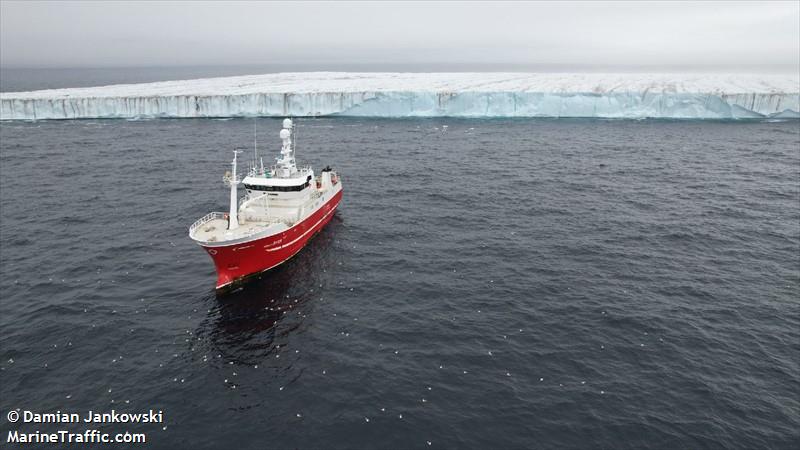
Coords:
pixel 282 208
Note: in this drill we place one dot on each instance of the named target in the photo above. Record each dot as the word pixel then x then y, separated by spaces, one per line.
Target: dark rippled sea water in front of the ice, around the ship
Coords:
pixel 500 284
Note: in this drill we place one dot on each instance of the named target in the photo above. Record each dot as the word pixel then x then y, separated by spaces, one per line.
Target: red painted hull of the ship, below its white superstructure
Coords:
pixel 237 261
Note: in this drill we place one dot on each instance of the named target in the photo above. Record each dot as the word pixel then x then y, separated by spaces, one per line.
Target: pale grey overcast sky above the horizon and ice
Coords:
pixel 706 35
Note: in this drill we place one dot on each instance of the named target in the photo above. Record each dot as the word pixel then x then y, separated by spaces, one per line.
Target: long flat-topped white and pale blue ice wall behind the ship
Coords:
pixel 703 96
